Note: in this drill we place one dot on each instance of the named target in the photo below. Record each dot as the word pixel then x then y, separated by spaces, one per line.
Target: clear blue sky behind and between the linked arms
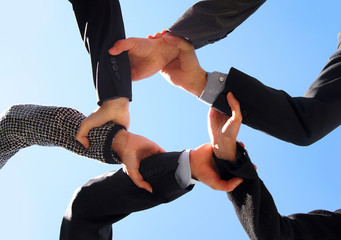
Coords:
pixel 284 44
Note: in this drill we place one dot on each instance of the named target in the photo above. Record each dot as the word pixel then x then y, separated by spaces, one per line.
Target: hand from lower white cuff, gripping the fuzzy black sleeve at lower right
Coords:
pixel 205 170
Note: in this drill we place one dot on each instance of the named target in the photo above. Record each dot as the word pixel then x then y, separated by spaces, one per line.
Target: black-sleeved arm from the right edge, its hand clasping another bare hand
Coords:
pixel 300 120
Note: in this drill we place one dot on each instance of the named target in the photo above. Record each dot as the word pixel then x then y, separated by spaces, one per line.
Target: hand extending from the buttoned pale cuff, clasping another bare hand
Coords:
pixel 185 70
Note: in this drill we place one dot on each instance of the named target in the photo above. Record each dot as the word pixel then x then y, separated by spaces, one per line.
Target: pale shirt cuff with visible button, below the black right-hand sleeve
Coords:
pixel 214 86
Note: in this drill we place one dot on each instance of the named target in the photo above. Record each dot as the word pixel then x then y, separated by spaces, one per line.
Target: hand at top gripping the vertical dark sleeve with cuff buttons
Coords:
pixel 147 56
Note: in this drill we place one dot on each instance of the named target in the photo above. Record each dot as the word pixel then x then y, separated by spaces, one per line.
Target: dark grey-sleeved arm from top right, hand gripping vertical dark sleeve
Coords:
pixel 205 22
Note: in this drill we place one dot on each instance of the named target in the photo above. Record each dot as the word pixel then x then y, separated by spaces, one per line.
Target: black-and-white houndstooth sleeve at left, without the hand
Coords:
pixel 26 125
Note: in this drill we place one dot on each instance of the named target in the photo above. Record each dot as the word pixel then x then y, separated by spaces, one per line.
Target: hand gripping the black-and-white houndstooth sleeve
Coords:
pixel 113 110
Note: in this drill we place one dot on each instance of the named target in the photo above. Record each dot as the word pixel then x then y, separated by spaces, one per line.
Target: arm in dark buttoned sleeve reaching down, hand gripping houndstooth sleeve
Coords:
pixel 101 24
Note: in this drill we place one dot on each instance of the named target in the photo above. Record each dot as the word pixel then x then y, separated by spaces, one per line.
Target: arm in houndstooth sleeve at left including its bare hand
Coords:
pixel 26 125
